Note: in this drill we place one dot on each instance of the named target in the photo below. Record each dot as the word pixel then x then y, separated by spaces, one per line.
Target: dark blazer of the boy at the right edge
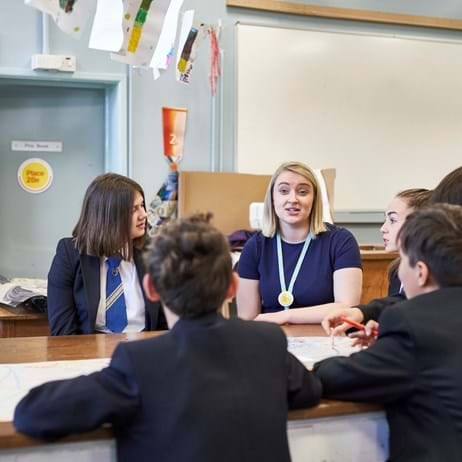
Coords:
pixel 415 370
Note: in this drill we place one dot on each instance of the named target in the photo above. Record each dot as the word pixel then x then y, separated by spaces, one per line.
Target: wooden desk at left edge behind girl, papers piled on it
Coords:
pixel 22 322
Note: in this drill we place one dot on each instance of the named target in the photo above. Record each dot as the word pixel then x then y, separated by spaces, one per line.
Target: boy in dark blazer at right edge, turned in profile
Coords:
pixel 414 368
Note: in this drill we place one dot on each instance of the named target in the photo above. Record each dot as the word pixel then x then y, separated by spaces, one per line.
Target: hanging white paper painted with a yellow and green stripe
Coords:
pixel 142 26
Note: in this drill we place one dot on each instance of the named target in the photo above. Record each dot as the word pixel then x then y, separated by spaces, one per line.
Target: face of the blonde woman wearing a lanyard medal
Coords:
pixel 293 197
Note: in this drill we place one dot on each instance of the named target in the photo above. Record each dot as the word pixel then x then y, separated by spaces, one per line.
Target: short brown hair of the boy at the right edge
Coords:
pixel 433 235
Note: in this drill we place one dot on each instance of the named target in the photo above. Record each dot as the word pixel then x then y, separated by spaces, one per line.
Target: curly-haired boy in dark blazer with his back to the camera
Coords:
pixel 210 389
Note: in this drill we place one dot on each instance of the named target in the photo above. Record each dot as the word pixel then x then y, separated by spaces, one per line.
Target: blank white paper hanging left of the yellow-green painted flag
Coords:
pixel 107 33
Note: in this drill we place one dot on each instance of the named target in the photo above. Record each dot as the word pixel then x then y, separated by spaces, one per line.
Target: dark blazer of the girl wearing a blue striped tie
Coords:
pixel 74 292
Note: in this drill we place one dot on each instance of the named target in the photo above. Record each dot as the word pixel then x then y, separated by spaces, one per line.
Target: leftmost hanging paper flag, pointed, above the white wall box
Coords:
pixel 71 16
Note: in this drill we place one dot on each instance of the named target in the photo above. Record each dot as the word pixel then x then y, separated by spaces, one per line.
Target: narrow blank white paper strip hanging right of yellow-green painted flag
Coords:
pixel 164 49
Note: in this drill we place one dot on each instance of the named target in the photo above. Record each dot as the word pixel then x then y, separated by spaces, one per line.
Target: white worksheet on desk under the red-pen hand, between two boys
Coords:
pixel 312 349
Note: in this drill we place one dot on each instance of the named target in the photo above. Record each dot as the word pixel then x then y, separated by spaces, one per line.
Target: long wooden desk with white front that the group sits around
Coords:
pixel 36 349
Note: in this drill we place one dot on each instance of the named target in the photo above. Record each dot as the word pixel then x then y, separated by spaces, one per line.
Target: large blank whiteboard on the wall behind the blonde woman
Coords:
pixel 385 111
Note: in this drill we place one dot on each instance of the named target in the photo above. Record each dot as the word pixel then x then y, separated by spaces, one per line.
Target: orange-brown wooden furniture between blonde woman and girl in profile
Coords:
pixel 375 273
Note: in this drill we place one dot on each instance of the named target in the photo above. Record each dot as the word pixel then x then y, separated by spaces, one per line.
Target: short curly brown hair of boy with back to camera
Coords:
pixel 189 263
